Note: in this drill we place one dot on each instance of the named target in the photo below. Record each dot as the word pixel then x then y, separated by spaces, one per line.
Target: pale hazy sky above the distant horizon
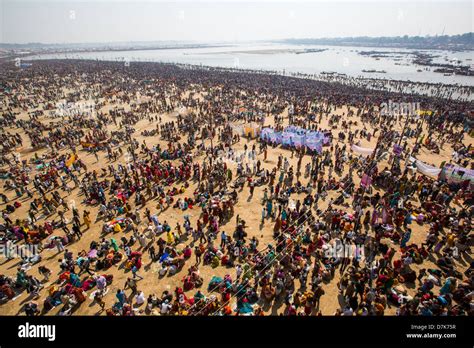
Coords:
pixel 221 20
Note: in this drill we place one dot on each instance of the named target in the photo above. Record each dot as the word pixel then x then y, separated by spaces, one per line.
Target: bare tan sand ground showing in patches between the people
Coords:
pixel 248 208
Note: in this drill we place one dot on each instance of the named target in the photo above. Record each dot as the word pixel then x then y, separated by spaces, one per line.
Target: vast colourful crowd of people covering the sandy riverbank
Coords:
pixel 92 202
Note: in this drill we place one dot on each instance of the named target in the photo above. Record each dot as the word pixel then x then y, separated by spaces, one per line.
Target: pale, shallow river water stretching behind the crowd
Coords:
pixel 279 57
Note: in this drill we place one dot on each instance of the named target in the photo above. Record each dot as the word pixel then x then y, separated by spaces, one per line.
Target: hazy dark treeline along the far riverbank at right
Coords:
pixel 445 42
